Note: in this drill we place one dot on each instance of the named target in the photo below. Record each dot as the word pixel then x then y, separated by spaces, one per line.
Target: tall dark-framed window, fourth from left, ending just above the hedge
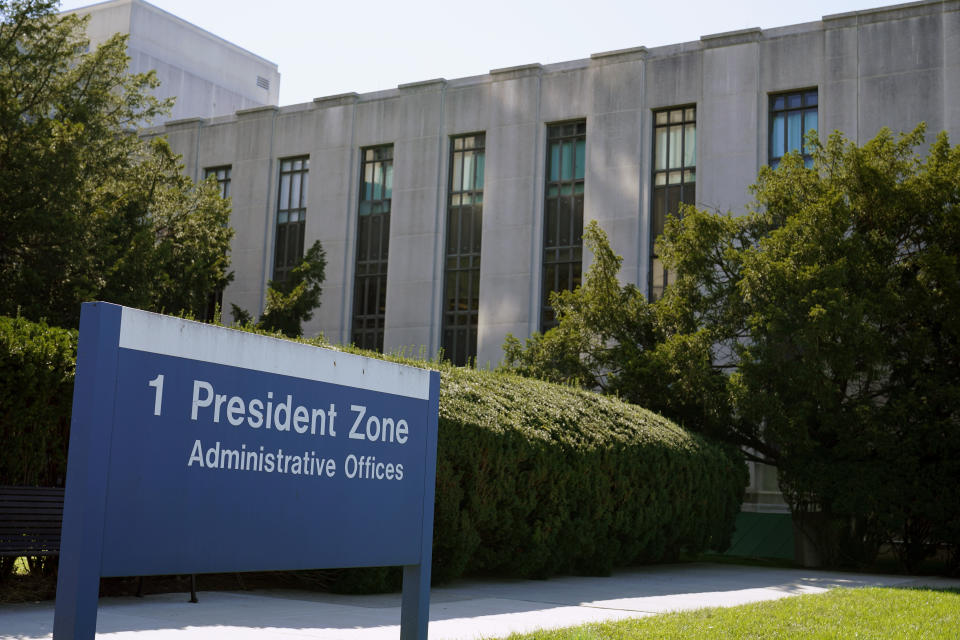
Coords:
pixel 461 298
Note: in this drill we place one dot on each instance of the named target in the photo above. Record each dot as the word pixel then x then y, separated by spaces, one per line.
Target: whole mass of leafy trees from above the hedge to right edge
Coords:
pixel 820 331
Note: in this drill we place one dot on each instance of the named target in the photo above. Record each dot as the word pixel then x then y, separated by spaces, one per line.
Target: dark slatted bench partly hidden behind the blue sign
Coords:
pixel 30 521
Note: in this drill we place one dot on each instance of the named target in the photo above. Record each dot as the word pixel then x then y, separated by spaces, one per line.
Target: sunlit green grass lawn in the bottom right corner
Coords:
pixel 911 614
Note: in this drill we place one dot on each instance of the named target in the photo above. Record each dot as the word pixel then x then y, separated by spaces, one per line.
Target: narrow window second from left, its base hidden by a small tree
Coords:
pixel 291 216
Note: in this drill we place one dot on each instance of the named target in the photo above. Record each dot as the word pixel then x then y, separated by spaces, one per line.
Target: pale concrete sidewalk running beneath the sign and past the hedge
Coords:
pixel 462 610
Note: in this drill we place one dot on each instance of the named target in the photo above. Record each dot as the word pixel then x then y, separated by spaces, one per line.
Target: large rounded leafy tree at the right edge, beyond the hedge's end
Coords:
pixel 848 294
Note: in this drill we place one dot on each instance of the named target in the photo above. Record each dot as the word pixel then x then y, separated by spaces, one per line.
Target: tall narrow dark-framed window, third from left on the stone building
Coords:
pixel 373 240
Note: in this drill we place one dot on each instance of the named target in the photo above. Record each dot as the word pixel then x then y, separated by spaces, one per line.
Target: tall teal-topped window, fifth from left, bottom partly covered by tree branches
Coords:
pixel 563 213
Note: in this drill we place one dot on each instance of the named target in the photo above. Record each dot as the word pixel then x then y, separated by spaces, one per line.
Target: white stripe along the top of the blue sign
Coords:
pixel 169 336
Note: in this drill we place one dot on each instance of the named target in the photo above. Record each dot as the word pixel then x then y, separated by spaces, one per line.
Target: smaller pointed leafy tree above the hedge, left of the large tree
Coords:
pixel 609 338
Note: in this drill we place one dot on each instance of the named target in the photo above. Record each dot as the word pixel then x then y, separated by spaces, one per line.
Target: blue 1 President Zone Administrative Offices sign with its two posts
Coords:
pixel 197 449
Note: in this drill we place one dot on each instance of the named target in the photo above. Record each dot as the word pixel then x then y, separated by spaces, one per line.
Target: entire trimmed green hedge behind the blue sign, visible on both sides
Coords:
pixel 533 478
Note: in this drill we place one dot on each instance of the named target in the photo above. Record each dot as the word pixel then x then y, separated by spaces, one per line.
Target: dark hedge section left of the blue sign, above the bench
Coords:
pixel 36 389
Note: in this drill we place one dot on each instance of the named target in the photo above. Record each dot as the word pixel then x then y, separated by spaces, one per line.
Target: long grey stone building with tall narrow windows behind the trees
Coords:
pixel 449 209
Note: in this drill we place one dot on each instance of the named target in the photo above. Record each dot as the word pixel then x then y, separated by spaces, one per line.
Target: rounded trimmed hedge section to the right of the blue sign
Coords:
pixel 535 479
